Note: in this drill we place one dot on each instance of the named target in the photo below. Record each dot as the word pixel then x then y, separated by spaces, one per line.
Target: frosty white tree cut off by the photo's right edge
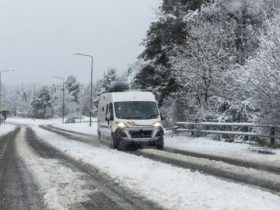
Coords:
pixel 263 73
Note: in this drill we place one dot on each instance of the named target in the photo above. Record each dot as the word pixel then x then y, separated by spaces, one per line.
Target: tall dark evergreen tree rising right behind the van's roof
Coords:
pixel 163 42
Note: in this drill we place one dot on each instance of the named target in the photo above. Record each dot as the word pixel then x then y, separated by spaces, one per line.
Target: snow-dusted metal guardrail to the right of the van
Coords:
pixel 231 129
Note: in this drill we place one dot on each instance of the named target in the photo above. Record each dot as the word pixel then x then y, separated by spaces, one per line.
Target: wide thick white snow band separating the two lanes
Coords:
pixel 172 187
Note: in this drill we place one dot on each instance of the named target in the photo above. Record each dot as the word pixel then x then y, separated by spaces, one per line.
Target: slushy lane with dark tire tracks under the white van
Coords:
pixel 237 171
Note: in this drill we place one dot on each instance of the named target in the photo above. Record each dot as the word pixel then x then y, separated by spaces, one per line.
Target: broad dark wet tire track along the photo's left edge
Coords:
pixel 17 188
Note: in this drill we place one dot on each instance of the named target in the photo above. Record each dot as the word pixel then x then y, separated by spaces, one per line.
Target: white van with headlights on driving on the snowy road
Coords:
pixel 129 117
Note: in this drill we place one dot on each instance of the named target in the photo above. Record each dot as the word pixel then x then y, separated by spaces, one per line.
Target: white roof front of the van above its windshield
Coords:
pixel 132 96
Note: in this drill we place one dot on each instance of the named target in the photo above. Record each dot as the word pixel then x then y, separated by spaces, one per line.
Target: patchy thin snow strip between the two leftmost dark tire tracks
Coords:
pixel 60 186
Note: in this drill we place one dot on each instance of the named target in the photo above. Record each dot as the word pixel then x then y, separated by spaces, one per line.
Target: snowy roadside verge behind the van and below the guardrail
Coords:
pixel 200 145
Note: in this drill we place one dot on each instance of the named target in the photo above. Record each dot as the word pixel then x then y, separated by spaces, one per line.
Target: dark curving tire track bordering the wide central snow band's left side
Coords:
pixel 108 194
